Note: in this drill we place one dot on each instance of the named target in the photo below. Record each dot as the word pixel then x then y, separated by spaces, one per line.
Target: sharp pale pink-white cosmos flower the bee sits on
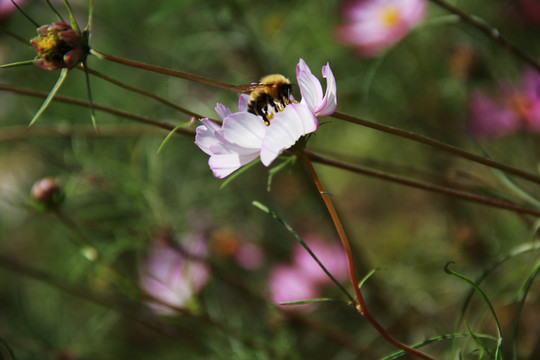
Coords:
pixel 243 136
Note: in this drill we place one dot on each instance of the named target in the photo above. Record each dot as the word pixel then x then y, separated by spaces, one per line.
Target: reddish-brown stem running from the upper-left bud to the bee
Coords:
pixel 161 70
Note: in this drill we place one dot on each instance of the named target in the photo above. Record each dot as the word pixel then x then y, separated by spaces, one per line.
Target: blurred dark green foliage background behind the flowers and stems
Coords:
pixel 121 195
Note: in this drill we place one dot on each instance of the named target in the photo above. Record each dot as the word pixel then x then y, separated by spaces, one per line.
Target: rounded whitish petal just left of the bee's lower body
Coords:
pixel 244 129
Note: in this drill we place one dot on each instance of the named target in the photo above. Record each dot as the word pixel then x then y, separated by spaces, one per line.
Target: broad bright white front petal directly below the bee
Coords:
pixel 295 121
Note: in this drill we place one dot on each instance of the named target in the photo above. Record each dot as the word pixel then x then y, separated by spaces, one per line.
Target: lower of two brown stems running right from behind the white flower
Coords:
pixel 428 187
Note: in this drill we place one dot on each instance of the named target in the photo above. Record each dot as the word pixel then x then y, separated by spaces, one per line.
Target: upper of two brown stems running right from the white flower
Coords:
pixel 438 145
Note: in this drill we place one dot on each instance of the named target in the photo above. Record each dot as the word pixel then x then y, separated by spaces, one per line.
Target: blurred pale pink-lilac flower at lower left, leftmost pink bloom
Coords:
pixel 170 276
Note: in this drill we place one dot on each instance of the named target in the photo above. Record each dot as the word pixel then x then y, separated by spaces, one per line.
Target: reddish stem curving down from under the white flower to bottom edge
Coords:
pixel 360 305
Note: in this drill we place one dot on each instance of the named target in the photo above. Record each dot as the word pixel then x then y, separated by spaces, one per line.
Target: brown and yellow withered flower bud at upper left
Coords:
pixel 59 46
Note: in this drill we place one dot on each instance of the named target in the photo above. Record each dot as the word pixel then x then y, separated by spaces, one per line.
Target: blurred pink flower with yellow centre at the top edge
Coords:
pixel 373 25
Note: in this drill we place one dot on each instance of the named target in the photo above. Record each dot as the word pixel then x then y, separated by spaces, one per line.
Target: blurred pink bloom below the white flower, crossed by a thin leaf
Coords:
pixel 303 279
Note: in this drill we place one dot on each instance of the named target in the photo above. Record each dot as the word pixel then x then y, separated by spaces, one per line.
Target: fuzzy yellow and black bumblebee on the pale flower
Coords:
pixel 270 95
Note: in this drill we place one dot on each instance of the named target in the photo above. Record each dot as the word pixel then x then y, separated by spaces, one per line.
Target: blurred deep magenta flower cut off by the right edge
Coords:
pixel 512 108
